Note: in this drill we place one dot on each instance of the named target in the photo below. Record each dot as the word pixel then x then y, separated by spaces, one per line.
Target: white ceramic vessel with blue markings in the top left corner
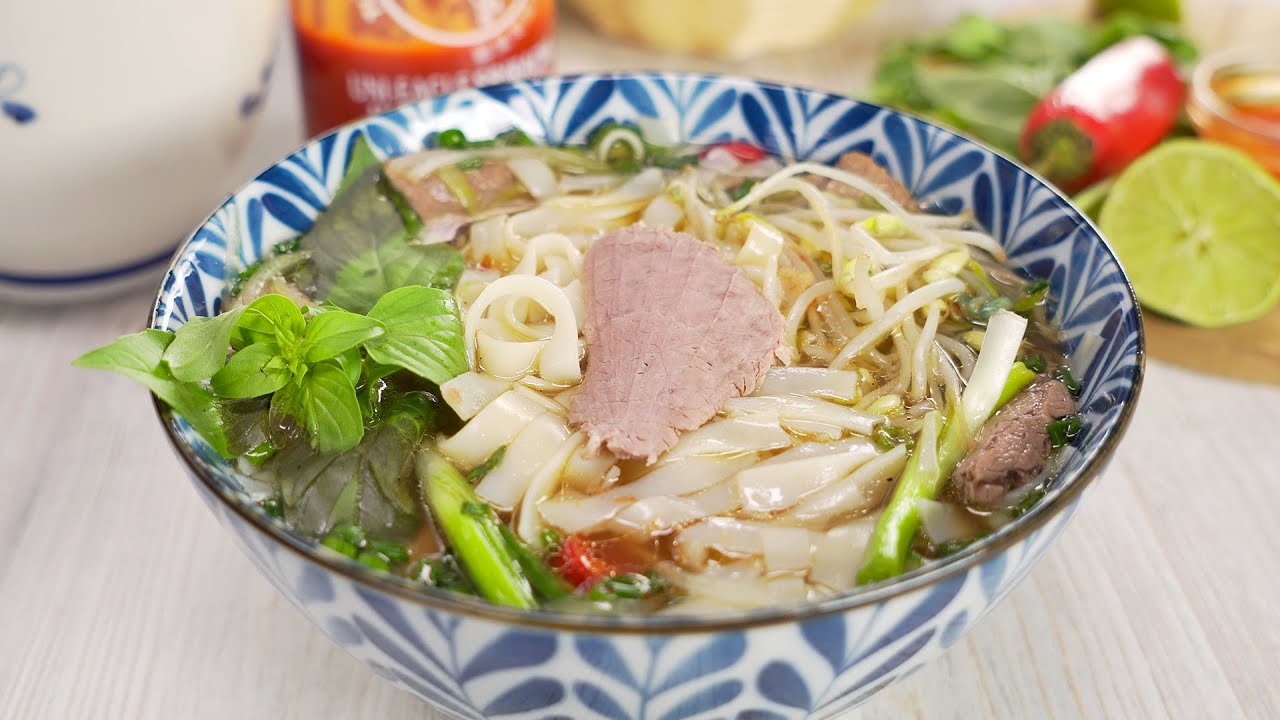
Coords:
pixel 121 125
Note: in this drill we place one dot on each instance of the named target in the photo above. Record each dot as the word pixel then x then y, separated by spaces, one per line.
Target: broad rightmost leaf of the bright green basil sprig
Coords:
pixel 424 334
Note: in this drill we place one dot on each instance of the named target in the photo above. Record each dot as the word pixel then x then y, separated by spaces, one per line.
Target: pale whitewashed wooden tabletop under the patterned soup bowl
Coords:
pixel 122 598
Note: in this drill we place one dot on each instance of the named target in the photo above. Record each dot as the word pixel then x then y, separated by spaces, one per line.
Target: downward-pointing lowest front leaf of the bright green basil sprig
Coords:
pixel 328 411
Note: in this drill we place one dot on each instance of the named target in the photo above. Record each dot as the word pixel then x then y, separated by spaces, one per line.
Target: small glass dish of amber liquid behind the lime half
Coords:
pixel 1240 106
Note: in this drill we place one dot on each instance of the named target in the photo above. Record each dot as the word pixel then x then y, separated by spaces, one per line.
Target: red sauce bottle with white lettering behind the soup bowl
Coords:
pixel 363 57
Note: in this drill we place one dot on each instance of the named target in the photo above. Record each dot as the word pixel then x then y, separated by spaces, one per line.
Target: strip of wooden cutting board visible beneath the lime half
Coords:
pixel 1249 353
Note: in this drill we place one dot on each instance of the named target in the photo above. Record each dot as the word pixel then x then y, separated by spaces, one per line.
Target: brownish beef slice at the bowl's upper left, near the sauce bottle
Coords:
pixel 432 198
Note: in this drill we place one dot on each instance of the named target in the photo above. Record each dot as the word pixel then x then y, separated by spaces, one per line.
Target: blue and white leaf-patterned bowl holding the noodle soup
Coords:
pixel 816 660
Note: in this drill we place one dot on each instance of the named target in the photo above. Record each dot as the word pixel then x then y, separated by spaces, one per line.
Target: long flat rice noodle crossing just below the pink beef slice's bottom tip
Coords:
pixel 685 476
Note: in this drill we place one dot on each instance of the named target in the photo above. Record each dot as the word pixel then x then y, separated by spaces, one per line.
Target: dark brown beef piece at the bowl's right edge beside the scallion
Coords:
pixel 1013 448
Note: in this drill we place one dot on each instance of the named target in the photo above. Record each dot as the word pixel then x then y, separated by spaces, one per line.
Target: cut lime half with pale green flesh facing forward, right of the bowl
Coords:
pixel 1197 227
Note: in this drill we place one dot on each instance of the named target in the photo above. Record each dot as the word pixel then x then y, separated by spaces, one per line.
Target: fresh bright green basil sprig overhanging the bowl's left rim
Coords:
pixel 309 363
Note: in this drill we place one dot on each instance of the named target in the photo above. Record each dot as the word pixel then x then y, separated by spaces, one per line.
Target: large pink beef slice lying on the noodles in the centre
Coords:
pixel 673 332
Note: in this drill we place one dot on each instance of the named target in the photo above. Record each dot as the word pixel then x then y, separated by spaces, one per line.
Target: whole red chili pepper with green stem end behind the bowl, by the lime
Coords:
pixel 1108 113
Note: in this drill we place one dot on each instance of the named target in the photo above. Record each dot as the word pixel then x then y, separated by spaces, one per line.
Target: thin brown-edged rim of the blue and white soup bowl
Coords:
pixel 429 599
